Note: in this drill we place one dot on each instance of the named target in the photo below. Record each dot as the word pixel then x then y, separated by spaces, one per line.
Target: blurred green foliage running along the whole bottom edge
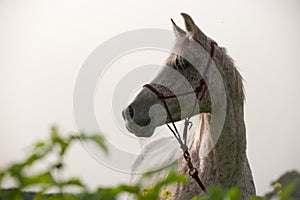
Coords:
pixel 46 181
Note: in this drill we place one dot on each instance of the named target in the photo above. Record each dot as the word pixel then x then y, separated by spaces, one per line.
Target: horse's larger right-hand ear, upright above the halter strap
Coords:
pixel 192 29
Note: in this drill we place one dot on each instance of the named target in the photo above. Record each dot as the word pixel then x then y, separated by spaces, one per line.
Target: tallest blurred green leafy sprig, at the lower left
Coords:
pixel 45 180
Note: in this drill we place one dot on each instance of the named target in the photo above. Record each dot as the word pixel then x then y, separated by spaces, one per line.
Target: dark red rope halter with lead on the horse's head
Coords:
pixel 202 87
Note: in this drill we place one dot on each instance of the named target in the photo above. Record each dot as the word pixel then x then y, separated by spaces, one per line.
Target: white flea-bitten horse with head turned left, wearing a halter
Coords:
pixel 193 58
